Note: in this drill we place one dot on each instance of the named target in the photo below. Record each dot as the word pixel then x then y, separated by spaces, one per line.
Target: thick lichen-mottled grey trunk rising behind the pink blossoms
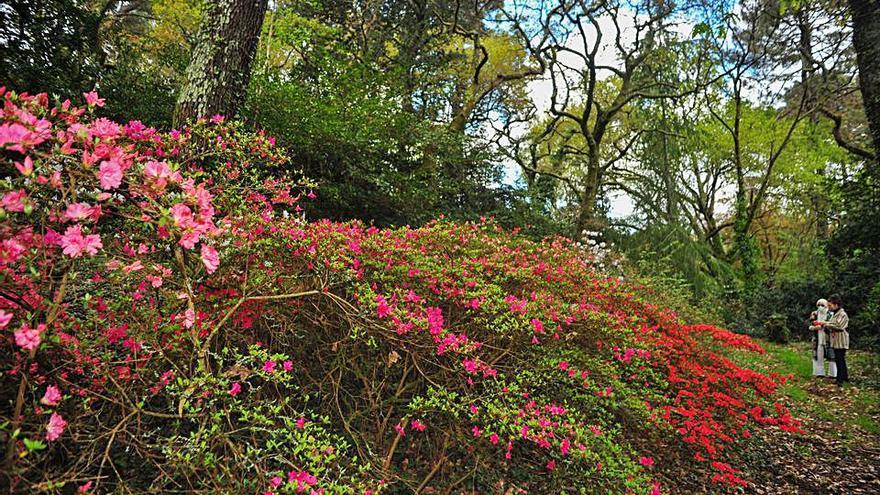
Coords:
pixel 219 70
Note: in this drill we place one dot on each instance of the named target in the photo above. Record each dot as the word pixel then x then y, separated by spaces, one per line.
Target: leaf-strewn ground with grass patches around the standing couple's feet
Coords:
pixel 839 453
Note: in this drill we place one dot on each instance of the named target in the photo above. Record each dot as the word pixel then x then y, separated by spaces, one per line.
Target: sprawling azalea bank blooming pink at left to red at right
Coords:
pixel 171 322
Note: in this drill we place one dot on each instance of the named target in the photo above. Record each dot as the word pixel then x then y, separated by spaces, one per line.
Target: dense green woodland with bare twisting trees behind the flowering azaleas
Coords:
pixel 736 130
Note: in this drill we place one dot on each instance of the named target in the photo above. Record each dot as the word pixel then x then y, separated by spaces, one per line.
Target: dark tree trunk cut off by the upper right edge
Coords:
pixel 866 41
